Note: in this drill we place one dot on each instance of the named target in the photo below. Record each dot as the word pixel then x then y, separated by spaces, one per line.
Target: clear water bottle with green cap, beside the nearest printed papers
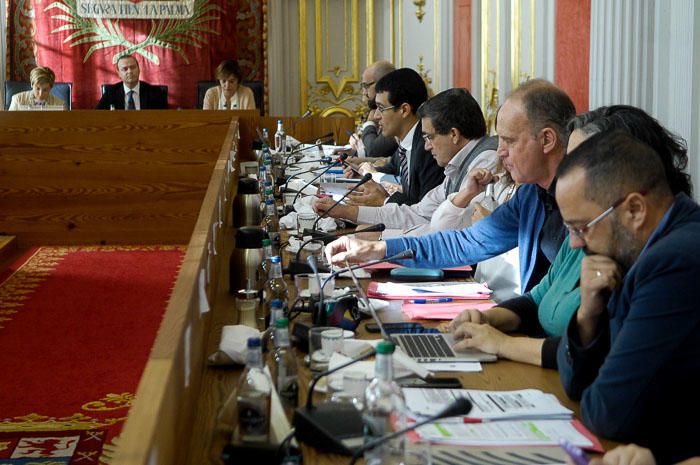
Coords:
pixel 384 410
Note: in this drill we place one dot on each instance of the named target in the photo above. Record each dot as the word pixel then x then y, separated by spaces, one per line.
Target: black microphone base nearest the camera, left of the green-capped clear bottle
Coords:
pixel 320 427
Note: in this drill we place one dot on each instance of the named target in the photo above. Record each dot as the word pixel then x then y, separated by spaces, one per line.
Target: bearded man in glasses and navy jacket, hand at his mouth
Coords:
pixel 631 352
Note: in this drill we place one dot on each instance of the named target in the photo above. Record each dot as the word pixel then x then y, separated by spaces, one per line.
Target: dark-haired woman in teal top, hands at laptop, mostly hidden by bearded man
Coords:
pixel 547 308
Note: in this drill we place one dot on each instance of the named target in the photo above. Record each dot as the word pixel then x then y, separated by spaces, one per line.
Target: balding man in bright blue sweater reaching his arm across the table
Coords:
pixel 532 138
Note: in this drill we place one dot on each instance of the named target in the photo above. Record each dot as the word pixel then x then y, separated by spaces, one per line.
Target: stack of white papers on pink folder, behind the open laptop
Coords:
pixel 405 291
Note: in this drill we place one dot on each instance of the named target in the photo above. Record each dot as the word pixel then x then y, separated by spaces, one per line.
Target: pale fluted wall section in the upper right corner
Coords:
pixel 646 53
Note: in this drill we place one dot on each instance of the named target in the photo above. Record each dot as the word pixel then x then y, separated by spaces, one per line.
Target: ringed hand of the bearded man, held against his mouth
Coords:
pixel 600 275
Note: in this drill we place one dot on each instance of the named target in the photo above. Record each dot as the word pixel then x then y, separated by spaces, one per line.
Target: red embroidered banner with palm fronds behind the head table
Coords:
pixel 177 42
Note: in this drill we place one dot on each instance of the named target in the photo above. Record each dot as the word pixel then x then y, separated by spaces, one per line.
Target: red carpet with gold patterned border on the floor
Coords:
pixel 76 328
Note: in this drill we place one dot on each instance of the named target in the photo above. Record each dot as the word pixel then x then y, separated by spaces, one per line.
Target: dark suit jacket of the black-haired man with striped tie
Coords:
pixel 425 174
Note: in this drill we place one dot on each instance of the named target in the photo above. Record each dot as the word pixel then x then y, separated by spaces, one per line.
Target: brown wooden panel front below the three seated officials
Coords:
pixel 91 177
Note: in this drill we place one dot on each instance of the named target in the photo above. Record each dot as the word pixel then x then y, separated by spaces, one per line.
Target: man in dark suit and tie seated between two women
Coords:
pixel 132 94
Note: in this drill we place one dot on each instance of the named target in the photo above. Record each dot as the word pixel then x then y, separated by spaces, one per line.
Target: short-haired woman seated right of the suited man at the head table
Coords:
pixel 229 94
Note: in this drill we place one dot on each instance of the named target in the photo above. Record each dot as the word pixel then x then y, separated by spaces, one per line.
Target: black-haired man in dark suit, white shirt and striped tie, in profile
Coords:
pixel 399 94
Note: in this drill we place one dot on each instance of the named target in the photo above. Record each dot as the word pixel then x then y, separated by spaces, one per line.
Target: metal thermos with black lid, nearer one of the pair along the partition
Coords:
pixel 245 259
